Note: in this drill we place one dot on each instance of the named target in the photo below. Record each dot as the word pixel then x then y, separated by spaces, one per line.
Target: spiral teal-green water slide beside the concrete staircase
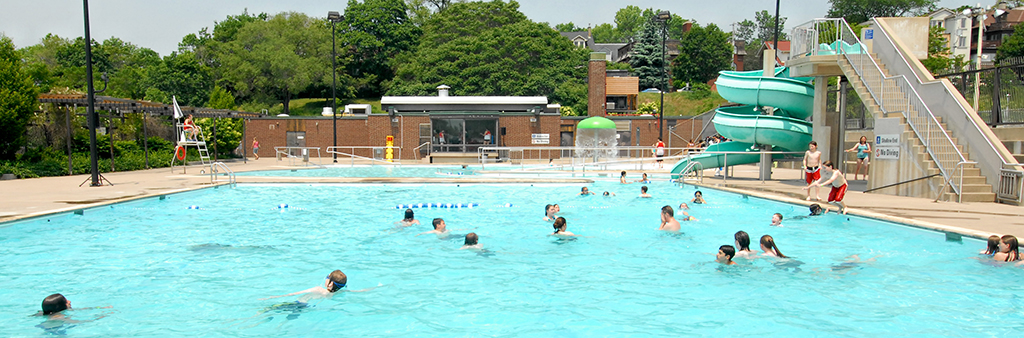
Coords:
pixel 748 125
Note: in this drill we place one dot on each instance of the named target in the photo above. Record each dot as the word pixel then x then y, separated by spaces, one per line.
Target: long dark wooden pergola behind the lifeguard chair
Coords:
pixel 117 108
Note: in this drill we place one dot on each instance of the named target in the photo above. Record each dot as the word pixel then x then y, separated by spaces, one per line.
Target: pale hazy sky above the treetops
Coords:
pixel 161 25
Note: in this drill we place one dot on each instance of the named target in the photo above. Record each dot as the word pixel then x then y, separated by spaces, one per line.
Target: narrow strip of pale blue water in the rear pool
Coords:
pixel 367 172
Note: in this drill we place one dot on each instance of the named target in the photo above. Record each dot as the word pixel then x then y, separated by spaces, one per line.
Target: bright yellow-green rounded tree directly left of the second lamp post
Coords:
pixel 277 59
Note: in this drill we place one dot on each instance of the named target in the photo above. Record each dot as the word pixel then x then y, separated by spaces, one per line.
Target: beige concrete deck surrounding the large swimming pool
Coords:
pixel 28 198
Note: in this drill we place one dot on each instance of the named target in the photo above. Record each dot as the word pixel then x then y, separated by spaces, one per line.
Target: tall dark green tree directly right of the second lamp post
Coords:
pixel 376 31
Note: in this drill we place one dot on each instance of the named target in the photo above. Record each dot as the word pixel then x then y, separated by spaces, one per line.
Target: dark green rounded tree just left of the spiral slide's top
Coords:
pixel 703 53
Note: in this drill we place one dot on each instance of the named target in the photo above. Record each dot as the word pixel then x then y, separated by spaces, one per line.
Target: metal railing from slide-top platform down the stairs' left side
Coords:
pixel 892 95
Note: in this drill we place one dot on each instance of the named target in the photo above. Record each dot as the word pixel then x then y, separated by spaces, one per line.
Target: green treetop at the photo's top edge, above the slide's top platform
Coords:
pixel 857 12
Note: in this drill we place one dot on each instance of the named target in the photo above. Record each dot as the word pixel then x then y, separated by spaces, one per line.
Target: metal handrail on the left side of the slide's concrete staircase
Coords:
pixel 911 101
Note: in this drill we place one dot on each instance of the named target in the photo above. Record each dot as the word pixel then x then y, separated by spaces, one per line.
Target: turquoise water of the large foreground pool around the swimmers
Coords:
pixel 170 271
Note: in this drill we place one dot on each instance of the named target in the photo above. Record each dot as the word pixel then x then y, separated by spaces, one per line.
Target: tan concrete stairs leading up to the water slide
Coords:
pixel 975 188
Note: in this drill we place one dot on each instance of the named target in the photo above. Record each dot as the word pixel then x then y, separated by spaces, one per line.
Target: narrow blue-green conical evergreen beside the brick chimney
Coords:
pixel 648 60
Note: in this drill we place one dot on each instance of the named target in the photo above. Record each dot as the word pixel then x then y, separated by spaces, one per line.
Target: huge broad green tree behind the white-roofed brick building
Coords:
pixel 498 54
